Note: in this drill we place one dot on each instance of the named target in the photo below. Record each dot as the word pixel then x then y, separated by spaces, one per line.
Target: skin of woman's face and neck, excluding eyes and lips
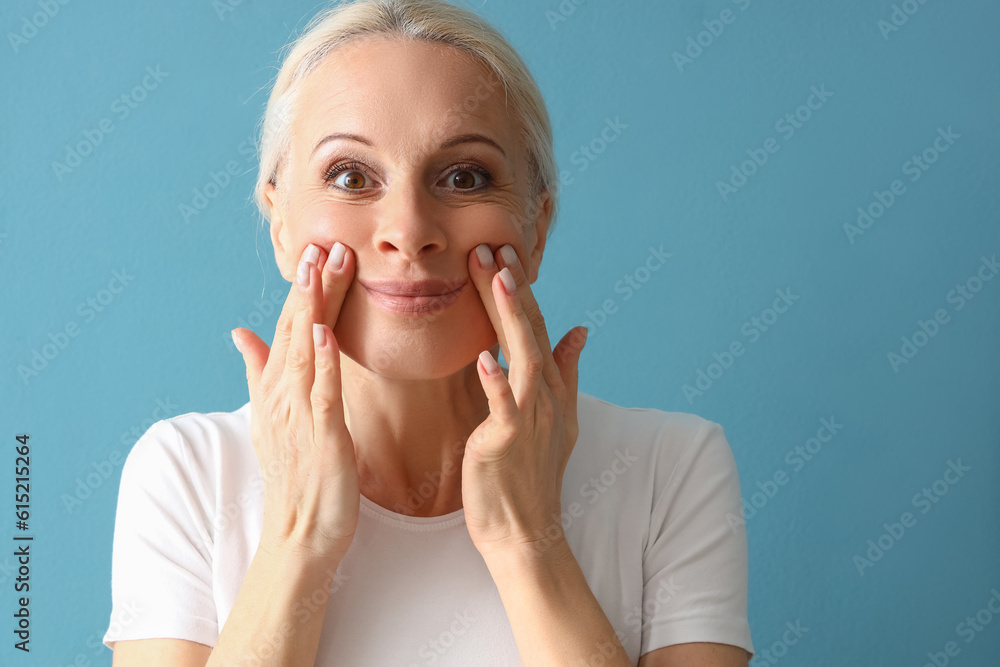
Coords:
pixel 411 389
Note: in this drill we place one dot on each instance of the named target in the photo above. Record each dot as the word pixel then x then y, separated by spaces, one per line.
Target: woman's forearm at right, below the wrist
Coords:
pixel 554 615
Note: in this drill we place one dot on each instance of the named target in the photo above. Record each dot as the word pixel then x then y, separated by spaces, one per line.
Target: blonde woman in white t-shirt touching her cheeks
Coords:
pixel 390 495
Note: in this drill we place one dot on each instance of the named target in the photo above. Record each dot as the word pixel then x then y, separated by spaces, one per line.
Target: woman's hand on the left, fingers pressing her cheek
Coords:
pixel 306 454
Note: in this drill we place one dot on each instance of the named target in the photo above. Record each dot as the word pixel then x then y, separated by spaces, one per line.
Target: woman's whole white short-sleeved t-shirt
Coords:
pixel 648 500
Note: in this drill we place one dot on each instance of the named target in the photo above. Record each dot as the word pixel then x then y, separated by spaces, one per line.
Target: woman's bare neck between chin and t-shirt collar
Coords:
pixel 409 436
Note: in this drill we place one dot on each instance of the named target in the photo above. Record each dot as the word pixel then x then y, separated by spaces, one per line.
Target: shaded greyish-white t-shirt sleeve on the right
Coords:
pixel 695 568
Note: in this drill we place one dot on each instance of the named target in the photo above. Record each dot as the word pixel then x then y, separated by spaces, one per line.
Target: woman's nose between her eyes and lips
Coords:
pixel 408 224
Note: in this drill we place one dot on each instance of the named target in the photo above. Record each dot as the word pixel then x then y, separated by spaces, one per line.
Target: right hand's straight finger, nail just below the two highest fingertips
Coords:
pixel 525 360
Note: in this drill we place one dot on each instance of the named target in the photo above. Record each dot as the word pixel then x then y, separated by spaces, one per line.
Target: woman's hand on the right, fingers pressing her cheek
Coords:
pixel 514 461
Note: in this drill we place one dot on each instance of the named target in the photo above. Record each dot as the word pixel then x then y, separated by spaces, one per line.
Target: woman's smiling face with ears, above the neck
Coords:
pixel 404 152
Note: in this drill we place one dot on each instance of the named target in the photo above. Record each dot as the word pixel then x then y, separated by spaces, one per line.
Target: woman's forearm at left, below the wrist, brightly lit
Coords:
pixel 278 614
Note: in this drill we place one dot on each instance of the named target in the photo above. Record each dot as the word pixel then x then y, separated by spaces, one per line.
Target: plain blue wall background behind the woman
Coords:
pixel 161 345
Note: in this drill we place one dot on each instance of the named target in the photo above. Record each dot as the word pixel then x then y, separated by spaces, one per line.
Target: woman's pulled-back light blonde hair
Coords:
pixel 425 20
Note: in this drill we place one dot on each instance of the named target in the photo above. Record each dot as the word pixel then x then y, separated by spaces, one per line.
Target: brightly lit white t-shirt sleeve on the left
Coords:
pixel 161 569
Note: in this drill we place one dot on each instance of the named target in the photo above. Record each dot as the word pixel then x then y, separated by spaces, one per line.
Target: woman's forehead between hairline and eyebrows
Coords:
pixel 405 95
